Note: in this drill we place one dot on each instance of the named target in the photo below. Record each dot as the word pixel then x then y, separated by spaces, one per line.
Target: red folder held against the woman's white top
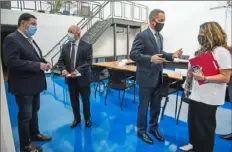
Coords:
pixel 207 63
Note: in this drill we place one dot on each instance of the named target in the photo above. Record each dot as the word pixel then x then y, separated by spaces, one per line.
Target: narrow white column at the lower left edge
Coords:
pixel 7 142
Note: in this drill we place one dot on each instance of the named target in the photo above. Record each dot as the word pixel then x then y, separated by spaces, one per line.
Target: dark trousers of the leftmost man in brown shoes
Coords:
pixel 27 117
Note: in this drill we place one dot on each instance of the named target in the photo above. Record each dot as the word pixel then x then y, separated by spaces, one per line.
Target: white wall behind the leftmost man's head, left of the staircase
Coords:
pixel 51 27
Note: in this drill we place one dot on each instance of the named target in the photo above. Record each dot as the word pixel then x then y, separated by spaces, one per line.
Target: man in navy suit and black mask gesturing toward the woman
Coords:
pixel 147 51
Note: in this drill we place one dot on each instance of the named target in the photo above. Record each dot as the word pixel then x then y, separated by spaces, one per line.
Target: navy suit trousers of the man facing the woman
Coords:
pixel 152 97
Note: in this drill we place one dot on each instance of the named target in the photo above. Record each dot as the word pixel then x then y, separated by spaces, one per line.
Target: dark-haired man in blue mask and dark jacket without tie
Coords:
pixel 26 79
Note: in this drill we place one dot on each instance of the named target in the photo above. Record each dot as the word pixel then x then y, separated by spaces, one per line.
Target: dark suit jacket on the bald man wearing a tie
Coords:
pixel 83 61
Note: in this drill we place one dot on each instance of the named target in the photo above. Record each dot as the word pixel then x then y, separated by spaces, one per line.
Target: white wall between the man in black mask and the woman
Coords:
pixel 183 19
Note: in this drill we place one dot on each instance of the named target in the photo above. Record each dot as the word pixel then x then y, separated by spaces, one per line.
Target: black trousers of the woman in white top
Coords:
pixel 202 125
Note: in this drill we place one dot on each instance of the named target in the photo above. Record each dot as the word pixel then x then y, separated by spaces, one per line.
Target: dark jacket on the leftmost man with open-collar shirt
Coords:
pixel 23 63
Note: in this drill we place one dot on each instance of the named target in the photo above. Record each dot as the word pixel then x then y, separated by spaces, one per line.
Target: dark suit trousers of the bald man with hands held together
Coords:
pixel 74 90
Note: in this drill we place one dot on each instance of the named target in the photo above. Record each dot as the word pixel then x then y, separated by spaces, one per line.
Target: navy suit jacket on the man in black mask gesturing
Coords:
pixel 144 46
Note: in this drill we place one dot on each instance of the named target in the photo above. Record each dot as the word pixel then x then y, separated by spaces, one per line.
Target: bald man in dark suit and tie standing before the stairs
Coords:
pixel 75 64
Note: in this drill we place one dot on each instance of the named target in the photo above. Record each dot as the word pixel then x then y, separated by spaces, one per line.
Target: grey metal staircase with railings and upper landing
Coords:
pixel 94 26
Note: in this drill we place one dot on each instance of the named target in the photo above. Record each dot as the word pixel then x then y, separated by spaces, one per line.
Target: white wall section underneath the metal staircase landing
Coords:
pixel 104 46
